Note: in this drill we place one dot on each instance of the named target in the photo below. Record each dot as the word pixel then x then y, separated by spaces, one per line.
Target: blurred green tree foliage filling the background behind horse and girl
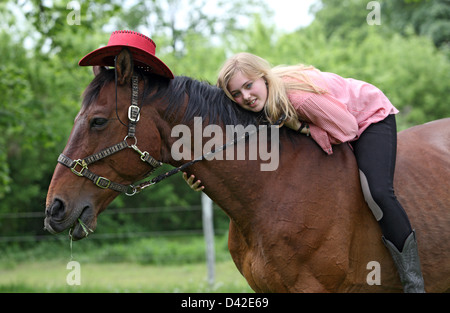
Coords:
pixel 41 83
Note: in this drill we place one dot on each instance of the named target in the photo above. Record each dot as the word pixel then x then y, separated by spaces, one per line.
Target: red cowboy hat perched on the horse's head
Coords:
pixel 141 47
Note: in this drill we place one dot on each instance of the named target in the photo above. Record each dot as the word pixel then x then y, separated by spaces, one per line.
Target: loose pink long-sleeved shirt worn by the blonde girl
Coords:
pixel 347 108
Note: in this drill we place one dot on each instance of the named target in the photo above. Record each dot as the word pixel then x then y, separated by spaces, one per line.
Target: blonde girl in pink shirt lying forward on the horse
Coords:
pixel 334 110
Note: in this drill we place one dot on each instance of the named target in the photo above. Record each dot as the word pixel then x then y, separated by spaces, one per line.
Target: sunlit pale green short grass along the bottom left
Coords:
pixel 121 277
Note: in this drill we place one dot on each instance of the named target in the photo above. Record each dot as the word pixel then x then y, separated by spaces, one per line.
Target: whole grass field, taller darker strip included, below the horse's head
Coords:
pixel 165 266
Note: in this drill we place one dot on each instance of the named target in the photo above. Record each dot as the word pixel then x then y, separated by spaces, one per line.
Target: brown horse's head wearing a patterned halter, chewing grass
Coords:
pixel 100 157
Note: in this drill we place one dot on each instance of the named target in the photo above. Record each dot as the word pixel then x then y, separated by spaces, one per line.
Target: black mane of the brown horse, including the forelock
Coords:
pixel 205 100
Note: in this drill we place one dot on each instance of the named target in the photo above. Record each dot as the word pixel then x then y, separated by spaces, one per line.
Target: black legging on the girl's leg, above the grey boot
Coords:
pixel 375 153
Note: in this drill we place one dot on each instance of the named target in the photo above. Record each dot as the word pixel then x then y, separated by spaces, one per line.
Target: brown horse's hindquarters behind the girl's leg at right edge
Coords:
pixel 423 187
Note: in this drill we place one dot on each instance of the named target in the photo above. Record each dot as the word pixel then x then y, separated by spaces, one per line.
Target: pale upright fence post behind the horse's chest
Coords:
pixel 208 231
